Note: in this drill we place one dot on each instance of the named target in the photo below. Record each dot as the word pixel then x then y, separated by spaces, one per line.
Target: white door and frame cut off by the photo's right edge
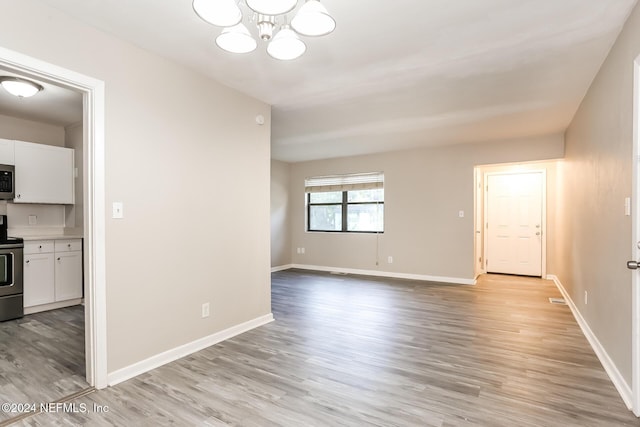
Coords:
pixel 635 237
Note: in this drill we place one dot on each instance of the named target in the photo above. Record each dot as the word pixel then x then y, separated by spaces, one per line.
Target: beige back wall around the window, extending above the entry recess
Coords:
pixel 424 191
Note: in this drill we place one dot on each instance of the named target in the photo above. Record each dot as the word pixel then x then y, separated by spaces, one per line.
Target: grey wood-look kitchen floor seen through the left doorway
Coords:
pixel 42 357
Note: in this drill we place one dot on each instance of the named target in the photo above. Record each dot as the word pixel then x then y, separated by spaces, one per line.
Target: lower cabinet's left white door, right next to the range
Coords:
pixel 38 279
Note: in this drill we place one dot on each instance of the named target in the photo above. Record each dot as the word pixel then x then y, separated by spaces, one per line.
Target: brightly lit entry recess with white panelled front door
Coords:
pixel 511 224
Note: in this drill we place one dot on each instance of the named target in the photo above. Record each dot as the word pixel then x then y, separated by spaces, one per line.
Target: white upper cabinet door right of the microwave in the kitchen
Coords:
pixel 44 174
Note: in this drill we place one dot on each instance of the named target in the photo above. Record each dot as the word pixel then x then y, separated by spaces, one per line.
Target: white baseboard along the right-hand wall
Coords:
pixel 614 374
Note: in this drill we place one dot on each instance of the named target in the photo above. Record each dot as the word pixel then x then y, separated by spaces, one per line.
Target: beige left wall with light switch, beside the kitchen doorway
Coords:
pixel 185 156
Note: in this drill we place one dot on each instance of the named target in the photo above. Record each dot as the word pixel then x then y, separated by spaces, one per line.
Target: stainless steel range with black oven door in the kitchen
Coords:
pixel 11 286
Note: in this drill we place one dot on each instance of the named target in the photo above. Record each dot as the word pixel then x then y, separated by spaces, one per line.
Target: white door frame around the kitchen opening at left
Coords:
pixel 94 200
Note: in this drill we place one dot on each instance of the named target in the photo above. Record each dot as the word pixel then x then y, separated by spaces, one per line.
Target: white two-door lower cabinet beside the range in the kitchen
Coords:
pixel 52 274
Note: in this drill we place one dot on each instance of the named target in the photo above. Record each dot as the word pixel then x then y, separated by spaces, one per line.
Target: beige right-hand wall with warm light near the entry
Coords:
pixel 595 240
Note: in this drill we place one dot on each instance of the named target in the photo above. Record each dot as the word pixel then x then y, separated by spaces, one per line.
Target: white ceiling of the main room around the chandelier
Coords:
pixel 396 74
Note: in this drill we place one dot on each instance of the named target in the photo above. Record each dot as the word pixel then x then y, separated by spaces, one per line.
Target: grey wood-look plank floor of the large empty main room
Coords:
pixel 357 351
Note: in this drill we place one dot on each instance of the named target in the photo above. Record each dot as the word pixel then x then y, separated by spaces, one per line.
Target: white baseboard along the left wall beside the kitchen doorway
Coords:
pixel 163 358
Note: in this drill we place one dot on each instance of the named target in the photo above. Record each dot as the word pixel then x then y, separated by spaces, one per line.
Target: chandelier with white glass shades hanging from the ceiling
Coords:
pixel 311 20
